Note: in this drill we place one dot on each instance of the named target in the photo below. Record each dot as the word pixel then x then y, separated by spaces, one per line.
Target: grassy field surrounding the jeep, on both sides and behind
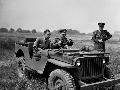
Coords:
pixel 8 72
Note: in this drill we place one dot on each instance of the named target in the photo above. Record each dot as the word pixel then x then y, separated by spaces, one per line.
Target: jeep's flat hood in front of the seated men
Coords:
pixel 70 56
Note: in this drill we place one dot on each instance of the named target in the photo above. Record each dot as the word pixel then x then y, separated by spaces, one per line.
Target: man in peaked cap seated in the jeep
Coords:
pixel 62 42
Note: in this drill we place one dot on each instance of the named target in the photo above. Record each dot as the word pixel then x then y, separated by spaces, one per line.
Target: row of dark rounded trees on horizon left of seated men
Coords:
pixel 19 30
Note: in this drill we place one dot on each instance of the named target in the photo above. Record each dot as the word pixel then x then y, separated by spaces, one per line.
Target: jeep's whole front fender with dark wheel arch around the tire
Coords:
pixel 56 64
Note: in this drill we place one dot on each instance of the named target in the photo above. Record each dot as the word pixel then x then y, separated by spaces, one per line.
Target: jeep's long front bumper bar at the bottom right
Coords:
pixel 103 84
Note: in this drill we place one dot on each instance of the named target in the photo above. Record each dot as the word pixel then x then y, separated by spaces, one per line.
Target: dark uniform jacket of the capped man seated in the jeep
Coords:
pixel 64 41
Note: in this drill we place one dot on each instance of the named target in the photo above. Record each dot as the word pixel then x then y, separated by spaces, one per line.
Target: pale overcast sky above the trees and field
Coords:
pixel 82 15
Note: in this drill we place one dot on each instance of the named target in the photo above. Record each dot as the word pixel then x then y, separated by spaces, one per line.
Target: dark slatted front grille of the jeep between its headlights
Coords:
pixel 92 66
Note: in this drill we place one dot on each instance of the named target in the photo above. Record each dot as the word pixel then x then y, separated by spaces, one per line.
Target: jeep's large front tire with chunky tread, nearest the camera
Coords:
pixel 61 80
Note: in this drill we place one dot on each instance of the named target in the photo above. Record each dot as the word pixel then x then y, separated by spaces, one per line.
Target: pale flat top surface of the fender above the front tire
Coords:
pixel 60 63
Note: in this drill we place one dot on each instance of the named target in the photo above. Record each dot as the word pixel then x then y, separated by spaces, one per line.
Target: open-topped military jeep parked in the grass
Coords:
pixel 65 69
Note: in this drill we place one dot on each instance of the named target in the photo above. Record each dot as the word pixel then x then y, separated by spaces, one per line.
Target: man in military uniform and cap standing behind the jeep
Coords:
pixel 99 38
